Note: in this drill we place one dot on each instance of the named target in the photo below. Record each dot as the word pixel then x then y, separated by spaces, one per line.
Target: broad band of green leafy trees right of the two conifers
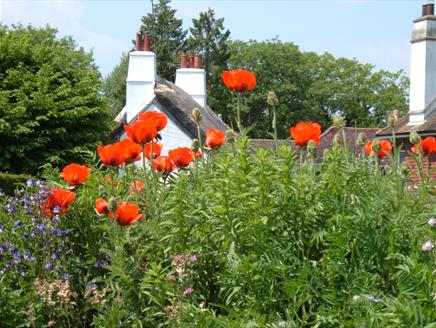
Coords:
pixel 313 87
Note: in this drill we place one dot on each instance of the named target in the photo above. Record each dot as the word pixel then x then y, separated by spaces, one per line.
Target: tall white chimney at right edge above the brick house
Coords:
pixel 423 66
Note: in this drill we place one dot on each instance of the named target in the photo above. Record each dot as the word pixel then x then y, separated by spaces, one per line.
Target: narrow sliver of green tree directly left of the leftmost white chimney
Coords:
pixel 114 85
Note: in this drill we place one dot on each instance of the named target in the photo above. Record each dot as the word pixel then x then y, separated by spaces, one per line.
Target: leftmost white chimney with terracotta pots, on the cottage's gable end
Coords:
pixel 141 76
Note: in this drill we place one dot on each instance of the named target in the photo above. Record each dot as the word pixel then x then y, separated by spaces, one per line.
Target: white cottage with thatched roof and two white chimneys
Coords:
pixel 146 91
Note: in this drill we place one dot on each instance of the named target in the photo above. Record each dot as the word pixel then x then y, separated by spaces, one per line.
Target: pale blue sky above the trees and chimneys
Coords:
pixel 372 31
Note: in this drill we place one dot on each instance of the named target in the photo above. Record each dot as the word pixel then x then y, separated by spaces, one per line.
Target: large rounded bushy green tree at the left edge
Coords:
pixel 51 107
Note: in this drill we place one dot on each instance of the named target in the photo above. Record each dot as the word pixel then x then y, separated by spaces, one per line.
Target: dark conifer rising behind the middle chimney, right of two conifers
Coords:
pixel 210 39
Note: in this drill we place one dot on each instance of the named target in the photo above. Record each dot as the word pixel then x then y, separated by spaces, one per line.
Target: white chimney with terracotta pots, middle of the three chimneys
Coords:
pixel 191 77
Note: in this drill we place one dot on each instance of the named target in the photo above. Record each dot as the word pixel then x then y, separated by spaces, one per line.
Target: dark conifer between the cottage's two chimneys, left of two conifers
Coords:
pixel 167 36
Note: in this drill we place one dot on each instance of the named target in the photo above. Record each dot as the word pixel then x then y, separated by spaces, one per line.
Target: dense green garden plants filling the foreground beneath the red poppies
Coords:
pixel 241 238
